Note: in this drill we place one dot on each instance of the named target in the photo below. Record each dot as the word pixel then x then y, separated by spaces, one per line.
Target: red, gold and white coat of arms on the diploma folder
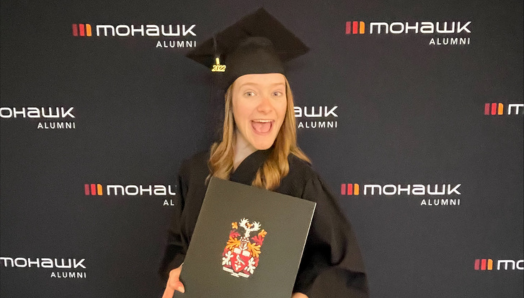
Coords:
pixel 240 257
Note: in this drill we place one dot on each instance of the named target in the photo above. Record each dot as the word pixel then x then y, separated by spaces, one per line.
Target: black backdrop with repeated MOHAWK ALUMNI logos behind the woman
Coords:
pixel 412 111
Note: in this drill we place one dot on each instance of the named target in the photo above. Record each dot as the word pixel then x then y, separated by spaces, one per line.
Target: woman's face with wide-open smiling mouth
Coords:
pixel 259 108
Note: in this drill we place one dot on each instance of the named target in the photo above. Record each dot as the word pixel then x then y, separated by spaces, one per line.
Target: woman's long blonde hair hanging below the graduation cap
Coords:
pixel 276 165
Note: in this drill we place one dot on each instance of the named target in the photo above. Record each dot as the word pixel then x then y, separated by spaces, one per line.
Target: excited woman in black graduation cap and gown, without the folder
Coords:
pixel 258 148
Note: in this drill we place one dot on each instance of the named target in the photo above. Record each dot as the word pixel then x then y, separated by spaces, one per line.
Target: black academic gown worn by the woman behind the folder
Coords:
pixel 331 242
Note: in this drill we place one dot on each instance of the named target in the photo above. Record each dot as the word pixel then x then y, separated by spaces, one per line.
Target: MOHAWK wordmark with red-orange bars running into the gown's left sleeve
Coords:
pixel 128 190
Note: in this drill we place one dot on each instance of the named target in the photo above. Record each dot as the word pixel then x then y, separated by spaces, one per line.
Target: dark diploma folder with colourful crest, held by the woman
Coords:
pixel 247 242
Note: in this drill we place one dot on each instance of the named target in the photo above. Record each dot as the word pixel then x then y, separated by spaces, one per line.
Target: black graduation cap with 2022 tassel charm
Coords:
pixel 256 44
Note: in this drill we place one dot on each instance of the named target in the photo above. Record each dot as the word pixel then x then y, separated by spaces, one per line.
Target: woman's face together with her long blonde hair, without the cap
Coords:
pixel 258 114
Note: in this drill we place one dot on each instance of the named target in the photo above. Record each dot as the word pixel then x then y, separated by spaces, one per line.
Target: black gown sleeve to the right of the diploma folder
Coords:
pixel 331 243
